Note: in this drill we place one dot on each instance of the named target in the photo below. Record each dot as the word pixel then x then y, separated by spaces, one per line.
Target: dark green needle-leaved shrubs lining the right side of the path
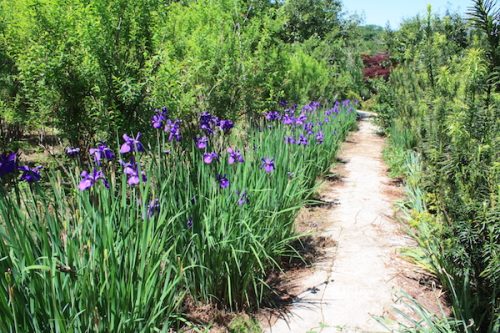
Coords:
pixel 440 109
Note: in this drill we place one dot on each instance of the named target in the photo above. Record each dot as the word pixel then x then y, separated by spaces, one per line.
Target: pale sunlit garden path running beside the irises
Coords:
pixel 360 276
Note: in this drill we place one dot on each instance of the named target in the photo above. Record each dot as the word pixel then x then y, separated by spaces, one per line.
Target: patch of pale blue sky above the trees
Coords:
pixel 382 11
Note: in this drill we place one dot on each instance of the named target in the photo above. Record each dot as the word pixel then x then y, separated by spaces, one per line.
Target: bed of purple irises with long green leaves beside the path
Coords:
pixel 117 246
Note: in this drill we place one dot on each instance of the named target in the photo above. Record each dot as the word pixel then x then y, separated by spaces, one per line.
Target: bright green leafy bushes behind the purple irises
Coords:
pixel 88 70
